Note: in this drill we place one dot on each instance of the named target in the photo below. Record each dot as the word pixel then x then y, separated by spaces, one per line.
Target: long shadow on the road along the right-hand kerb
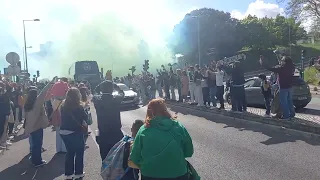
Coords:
pixel 277 136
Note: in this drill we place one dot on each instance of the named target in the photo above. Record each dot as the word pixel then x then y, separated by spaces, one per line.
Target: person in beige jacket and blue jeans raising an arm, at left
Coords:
pixel 36 120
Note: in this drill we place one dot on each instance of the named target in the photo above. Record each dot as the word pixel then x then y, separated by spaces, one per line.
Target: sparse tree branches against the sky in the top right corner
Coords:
pixel 303 8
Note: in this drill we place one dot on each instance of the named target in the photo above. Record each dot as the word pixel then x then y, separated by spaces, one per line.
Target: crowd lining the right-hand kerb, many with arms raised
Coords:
pixel 205 86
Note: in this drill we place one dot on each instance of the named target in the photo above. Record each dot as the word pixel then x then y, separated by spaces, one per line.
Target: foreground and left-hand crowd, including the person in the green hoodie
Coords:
pixel 66 107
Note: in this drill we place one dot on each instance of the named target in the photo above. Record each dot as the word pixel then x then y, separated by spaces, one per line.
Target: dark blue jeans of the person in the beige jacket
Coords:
pixel 36 145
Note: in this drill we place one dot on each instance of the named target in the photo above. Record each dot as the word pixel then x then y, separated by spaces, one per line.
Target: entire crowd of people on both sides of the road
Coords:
pixel 159 139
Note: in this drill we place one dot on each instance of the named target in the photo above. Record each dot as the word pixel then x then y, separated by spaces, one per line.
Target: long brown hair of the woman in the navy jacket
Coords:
pixel 73 99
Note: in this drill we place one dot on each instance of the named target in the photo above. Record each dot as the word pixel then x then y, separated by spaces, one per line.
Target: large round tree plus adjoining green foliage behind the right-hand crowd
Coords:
pixel 228 36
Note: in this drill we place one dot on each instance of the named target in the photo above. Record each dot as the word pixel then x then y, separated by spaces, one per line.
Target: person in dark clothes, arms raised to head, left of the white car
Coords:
pixel 108 116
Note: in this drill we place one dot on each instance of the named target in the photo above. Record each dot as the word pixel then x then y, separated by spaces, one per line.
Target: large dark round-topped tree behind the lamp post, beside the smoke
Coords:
pixel 216 30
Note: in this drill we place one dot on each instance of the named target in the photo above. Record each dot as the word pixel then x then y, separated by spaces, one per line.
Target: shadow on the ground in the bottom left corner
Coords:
pixel 24 170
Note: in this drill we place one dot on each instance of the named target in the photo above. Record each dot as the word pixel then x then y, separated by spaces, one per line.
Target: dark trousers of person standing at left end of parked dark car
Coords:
pixel 238 98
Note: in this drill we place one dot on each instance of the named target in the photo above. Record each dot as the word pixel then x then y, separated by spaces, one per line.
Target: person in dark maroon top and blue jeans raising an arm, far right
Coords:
pixel 285 75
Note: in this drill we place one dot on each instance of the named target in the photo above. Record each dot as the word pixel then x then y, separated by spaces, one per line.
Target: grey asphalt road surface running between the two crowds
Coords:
pixel 224 150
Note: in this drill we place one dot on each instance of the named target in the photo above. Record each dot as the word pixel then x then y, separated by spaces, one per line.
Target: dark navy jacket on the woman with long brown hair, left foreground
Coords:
pixel 73 120
